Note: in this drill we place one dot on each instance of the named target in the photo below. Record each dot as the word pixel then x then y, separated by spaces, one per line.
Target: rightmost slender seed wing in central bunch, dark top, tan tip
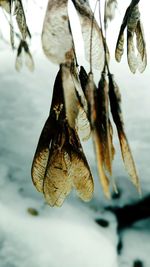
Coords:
pixel 115 103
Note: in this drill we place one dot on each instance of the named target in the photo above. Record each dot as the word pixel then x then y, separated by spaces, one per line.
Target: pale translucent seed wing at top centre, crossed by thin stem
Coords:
pixel 87 22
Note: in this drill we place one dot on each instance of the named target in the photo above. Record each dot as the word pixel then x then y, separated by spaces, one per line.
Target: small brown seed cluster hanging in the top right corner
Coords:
pixel 134 29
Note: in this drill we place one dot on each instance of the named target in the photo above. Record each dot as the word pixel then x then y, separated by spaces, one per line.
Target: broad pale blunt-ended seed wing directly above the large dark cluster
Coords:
pixel 56 36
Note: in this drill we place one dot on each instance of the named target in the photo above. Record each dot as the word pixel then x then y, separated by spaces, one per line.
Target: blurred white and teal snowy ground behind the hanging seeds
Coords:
pixel 69 236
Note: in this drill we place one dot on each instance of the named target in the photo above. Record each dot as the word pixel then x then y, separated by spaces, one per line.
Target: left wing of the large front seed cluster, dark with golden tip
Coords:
pixel 49 132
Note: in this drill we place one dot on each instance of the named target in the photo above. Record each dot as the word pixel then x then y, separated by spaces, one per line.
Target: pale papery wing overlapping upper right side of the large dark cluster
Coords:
pixel 75 103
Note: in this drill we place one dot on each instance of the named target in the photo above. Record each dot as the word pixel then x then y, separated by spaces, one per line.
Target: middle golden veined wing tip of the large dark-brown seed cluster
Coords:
pixel 57 182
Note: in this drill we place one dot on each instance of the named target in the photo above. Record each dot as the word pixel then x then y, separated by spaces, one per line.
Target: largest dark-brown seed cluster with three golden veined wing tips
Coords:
pixel 59 164
